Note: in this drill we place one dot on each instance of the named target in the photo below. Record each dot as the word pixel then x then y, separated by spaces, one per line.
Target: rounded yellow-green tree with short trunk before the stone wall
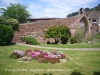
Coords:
pixel 58 32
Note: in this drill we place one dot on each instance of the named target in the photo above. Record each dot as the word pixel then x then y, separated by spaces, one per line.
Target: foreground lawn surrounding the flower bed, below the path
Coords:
pixel 79 63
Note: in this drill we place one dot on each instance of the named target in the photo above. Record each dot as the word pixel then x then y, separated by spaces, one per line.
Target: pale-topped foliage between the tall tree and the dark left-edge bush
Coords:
pixel 10 22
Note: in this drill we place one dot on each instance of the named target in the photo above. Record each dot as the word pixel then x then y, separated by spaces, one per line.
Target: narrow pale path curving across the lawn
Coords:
pixel 36 46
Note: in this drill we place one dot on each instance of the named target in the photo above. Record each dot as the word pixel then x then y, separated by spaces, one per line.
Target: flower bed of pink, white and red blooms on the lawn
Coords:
pixel 39 55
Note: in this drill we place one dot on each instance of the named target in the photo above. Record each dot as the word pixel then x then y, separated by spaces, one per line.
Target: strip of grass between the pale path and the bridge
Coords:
pixel 76 45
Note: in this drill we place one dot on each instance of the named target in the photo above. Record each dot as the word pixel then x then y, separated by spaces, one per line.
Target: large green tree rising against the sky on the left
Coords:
pixel 16 11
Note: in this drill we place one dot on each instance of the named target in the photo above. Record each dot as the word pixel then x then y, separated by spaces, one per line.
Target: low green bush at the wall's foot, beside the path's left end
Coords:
pixel 30 40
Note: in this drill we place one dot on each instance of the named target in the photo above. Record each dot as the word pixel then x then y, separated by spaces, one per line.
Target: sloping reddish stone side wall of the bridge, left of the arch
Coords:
pixel 37 29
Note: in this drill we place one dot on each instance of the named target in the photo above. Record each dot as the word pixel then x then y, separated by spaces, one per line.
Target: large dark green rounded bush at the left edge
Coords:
pixel 6 34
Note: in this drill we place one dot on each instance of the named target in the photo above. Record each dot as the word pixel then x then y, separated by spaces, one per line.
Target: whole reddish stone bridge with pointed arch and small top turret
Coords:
pixel 36 27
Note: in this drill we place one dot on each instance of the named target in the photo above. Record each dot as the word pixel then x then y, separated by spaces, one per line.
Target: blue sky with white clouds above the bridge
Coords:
pixel 51 8
